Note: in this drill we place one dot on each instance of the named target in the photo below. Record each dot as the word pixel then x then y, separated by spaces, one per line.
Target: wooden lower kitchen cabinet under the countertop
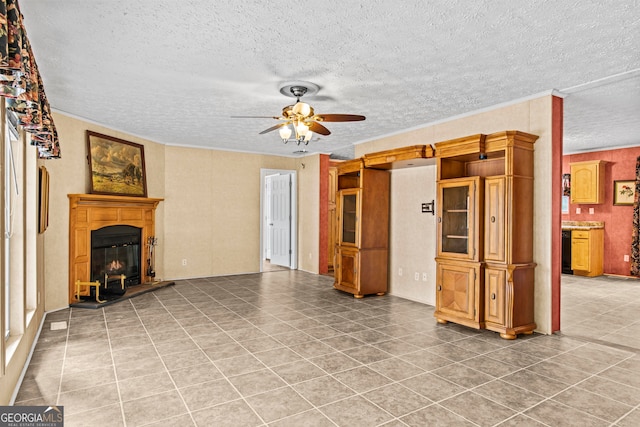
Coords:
pixel 587 252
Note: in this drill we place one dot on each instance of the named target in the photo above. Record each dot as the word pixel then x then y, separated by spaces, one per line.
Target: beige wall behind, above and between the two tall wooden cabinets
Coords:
pixel 409 251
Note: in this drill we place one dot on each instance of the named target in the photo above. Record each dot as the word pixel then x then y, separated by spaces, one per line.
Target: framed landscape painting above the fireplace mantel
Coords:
pixel 117 166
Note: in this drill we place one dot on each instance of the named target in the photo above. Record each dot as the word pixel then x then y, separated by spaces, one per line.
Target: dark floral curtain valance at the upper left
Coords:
pixel 21 84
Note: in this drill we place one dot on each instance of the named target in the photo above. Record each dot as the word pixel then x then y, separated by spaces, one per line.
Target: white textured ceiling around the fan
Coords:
pixel 176 71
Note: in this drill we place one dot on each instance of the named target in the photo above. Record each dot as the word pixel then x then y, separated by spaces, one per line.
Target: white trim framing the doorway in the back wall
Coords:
pixel 294 214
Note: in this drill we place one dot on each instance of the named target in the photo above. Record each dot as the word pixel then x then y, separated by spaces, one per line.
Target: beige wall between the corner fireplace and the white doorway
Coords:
pixel 212 211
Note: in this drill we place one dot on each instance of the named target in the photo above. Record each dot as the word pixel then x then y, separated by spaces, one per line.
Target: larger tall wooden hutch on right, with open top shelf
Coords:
pixel 485 268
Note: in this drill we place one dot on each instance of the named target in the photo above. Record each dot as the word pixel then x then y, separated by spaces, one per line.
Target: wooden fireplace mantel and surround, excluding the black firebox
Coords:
pixel 89 212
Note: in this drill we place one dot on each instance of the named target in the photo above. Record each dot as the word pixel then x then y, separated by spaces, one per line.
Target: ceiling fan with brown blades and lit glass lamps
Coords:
pixel 300 119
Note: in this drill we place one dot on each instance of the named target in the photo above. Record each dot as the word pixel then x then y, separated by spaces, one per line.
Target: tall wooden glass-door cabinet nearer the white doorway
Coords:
pixel 363 229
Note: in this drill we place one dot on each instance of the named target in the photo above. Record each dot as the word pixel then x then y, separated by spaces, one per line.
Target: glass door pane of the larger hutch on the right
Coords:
pixel 455 219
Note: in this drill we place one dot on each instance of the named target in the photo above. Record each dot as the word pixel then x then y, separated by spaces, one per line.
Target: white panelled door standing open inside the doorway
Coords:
pixel 281 220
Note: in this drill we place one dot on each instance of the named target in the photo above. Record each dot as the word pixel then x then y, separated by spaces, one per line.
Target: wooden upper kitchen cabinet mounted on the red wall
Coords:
pixel 587 182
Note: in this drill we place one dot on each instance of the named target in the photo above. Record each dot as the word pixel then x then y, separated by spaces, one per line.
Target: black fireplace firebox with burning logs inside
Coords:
pixel 116 257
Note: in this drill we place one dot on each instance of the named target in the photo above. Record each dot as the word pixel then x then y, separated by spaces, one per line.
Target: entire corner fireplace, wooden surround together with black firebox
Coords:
pixel 107 236
